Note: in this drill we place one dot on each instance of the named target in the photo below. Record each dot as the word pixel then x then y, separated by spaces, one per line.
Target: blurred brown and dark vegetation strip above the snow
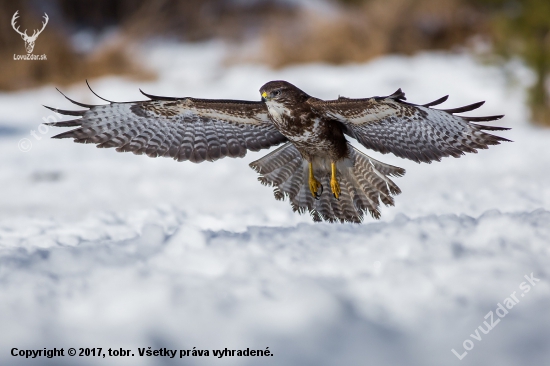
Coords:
pixel 93 38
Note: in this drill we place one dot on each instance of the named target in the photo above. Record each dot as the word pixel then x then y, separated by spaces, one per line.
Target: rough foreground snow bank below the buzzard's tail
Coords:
pixel 402 292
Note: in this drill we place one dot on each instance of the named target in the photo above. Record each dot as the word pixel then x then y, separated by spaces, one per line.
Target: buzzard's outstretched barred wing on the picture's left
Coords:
pixel 181 128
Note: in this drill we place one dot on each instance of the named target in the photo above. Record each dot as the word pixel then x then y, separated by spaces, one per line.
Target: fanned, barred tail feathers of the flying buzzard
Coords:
pixel 364 183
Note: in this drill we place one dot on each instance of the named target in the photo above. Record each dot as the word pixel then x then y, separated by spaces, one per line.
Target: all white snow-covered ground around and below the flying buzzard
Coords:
pixel 100 249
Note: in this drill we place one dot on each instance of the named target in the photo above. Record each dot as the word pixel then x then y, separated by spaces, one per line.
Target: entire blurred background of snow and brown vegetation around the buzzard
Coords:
pixel 102 249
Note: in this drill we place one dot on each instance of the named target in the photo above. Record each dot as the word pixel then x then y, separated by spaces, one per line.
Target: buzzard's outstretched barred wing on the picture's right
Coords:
pixel 416 132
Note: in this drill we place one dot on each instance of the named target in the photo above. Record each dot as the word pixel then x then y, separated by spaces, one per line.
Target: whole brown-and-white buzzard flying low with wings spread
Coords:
pixel 316 168
